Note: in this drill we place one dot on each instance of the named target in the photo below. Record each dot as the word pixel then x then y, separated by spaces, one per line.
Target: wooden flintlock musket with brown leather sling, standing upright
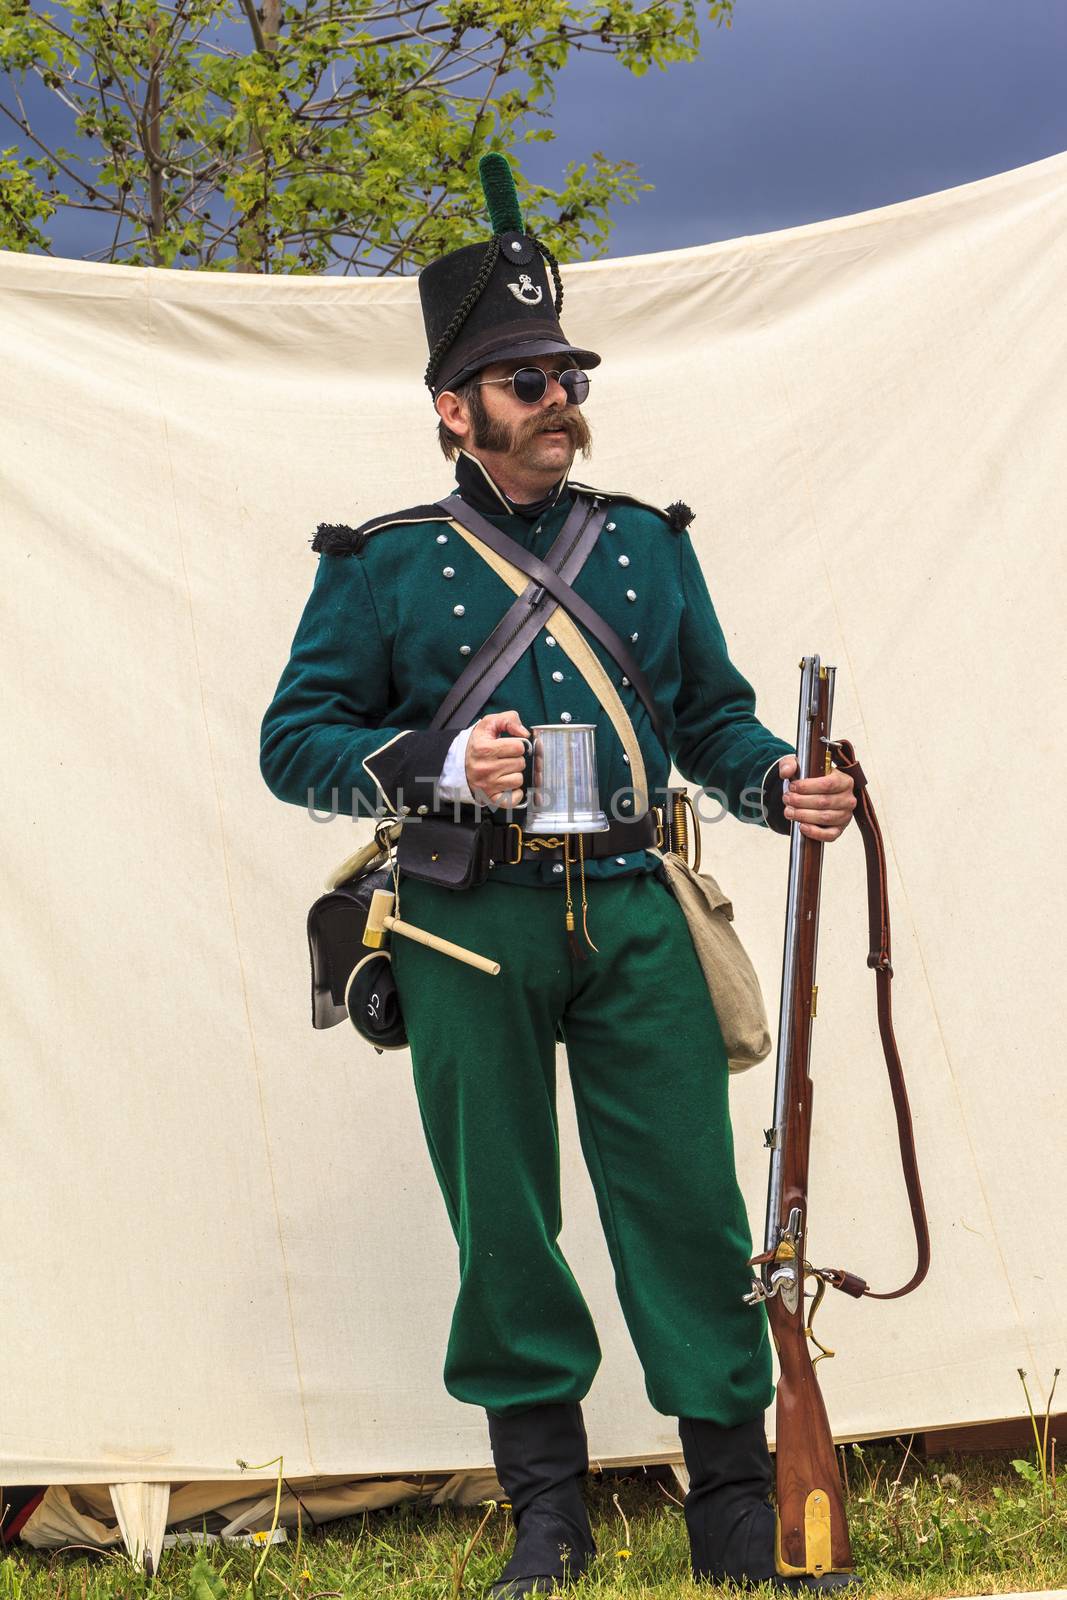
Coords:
pixel 812 1526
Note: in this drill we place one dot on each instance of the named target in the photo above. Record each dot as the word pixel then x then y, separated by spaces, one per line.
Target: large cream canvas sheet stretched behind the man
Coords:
pixel 222 1233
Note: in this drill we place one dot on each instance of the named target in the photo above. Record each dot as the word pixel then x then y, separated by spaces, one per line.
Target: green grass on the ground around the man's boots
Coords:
pixel 921 1529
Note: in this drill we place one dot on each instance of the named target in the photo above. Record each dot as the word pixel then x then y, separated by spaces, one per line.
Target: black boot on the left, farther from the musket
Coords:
pixel 541 1458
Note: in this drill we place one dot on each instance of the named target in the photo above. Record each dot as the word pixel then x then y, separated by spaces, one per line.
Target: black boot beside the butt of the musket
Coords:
pixel 727 1511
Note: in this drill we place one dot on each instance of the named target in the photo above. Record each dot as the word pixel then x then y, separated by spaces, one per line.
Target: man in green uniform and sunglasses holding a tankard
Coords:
pixel 398 610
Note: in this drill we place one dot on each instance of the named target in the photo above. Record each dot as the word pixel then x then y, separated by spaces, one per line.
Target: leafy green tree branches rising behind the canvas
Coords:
pixel 329 135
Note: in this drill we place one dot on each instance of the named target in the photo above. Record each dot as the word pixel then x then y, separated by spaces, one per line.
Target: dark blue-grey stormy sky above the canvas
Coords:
pixel 805 110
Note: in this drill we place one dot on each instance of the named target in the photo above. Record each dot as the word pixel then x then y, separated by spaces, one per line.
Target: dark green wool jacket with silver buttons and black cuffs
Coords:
pixel 383 636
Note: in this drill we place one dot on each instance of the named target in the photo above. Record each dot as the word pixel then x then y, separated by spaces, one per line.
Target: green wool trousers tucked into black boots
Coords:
pixel 650 1082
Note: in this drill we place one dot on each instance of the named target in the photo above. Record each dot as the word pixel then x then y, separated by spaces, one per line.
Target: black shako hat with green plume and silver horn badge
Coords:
pixel 486 303
